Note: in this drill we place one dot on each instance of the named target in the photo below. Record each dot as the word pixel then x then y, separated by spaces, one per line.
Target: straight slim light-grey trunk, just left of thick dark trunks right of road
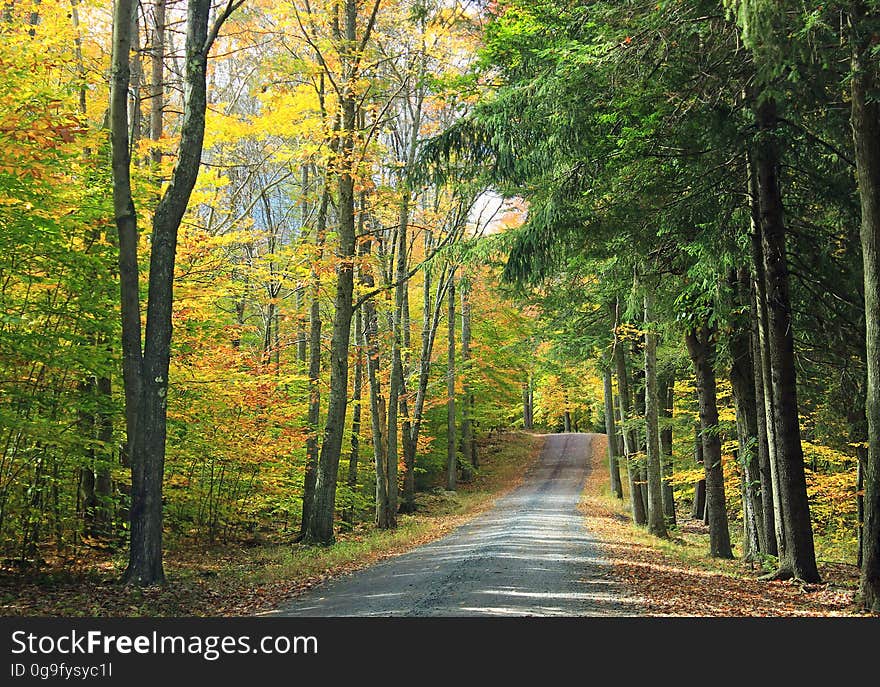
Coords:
pixel 656 521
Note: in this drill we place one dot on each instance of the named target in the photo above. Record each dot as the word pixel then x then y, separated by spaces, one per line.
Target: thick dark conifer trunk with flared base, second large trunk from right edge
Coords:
pixel 798 557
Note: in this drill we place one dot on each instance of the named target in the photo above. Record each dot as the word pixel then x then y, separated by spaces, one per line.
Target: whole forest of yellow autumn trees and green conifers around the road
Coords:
pixel 272 272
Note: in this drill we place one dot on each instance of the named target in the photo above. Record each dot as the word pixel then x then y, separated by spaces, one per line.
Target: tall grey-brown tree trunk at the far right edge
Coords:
pixel 866 137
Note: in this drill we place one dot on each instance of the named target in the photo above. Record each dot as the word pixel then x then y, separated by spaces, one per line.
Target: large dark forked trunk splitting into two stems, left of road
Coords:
pixel 150 365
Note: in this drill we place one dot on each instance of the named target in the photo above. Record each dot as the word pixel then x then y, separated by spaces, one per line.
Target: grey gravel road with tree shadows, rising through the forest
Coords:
pixel 529 555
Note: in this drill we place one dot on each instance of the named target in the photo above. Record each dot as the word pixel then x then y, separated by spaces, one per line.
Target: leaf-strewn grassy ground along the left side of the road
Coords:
pixel 238 579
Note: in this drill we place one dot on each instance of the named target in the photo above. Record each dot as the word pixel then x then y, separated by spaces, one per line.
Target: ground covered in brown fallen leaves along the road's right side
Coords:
pixel 676 577
